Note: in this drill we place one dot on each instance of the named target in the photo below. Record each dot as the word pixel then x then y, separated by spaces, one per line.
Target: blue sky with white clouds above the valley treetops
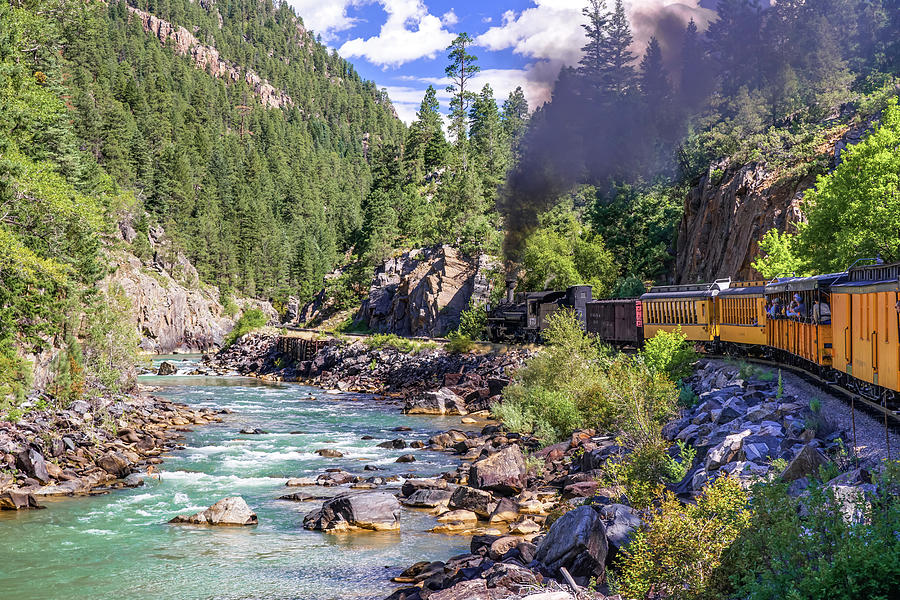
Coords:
pixel 401 44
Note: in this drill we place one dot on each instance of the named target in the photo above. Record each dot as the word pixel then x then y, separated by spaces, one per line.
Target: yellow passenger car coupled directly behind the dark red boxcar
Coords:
pixel 692 307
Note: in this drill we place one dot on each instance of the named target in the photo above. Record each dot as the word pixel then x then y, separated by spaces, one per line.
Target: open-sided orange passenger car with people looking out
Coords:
pixel 801 323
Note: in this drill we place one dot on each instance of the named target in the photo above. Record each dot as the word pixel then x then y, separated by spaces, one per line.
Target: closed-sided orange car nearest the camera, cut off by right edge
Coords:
pixel 866 318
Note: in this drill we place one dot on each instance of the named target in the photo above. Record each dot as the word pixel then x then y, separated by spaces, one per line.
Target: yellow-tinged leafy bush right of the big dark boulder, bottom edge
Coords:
pixel 675 554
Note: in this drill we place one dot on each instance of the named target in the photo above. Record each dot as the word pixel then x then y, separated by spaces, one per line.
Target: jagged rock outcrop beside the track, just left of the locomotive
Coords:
pixel 423 292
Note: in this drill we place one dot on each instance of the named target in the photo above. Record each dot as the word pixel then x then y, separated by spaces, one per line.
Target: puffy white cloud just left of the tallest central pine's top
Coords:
pixel 410 33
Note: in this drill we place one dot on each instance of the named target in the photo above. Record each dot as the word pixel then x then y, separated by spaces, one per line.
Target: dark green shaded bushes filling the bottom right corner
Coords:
pixel 832 548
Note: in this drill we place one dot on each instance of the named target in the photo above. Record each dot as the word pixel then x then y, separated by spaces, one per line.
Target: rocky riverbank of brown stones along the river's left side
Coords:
pixel 89 447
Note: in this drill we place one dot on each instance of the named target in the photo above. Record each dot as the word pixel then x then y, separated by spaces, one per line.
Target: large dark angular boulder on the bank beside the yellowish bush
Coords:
pixel 576 541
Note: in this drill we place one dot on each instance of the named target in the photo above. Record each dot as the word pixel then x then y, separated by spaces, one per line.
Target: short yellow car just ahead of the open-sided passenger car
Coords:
pixel 741 310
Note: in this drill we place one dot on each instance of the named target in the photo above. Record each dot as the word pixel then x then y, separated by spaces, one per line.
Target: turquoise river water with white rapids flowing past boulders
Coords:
pixel 119 545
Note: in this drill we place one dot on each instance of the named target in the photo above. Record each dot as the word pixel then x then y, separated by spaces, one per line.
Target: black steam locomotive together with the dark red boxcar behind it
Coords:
pixel 522 316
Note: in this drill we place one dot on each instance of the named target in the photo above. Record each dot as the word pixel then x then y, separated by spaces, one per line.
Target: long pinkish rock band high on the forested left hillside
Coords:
pixel 207 58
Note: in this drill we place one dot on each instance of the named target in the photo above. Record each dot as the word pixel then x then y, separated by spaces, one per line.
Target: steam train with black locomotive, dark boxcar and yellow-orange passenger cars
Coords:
pixel 846 329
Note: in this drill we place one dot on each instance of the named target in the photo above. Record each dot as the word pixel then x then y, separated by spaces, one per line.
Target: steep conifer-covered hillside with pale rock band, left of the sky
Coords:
pixel 244 137
